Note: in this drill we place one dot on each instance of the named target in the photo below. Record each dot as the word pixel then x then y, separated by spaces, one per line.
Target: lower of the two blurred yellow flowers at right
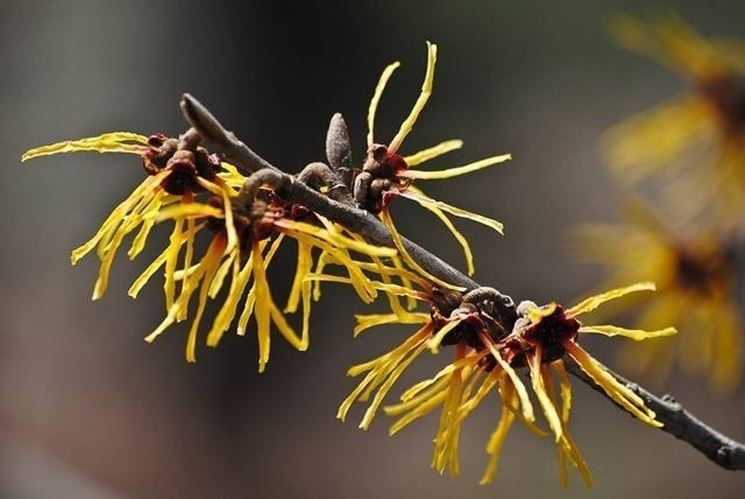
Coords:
pixel 697 293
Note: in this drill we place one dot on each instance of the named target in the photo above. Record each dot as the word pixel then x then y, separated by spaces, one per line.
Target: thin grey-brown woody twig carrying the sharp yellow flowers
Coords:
pixel 678 422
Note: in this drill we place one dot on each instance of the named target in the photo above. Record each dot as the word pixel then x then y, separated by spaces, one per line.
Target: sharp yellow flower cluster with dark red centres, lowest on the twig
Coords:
pixel 487 359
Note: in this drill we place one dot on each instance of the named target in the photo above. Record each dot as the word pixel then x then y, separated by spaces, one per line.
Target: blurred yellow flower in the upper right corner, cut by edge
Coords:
pixel 697 137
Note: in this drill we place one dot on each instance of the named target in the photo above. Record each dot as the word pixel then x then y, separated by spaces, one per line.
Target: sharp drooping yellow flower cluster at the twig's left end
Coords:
pixel 242 244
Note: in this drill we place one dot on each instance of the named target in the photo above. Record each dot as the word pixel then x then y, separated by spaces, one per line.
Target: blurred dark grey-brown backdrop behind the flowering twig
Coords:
pixel 87 409
